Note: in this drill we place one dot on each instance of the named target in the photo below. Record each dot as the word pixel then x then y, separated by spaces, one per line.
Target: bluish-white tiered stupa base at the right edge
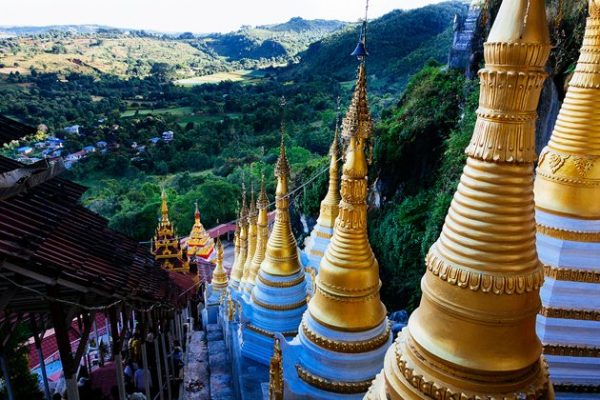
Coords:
pixel 571 296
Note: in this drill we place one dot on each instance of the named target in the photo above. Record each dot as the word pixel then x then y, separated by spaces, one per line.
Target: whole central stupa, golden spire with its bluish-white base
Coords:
pixel 344 335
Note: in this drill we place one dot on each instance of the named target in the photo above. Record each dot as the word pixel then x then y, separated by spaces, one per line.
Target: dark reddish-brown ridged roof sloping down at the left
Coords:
pixel 48 239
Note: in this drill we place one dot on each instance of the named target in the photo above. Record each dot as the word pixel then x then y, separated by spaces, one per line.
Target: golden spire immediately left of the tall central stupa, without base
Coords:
pixel 281 256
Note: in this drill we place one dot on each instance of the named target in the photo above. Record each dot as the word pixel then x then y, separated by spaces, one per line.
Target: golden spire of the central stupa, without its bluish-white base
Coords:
pixel 347 286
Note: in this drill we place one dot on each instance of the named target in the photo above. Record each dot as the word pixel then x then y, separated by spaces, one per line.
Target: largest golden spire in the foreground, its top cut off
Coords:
pixel 473 335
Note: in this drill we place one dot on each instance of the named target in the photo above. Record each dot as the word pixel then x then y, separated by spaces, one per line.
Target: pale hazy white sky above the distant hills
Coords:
pixel 188 15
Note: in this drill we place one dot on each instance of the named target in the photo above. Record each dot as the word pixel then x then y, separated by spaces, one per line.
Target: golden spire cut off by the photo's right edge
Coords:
pixel 568 175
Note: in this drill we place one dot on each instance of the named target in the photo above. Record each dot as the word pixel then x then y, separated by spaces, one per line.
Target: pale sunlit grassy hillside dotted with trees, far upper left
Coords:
pixel 122 56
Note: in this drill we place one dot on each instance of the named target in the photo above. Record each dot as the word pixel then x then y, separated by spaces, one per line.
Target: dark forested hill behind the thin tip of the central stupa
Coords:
pixel 399 44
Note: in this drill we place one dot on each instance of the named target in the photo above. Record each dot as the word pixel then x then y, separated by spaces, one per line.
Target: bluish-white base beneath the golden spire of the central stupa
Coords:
pixel 330 365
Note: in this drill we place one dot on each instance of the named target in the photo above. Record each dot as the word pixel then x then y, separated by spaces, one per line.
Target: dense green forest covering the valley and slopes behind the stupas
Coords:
pixel 227 132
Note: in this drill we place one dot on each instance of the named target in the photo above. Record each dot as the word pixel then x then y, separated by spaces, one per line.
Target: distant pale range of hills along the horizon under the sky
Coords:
pixel 94 50
